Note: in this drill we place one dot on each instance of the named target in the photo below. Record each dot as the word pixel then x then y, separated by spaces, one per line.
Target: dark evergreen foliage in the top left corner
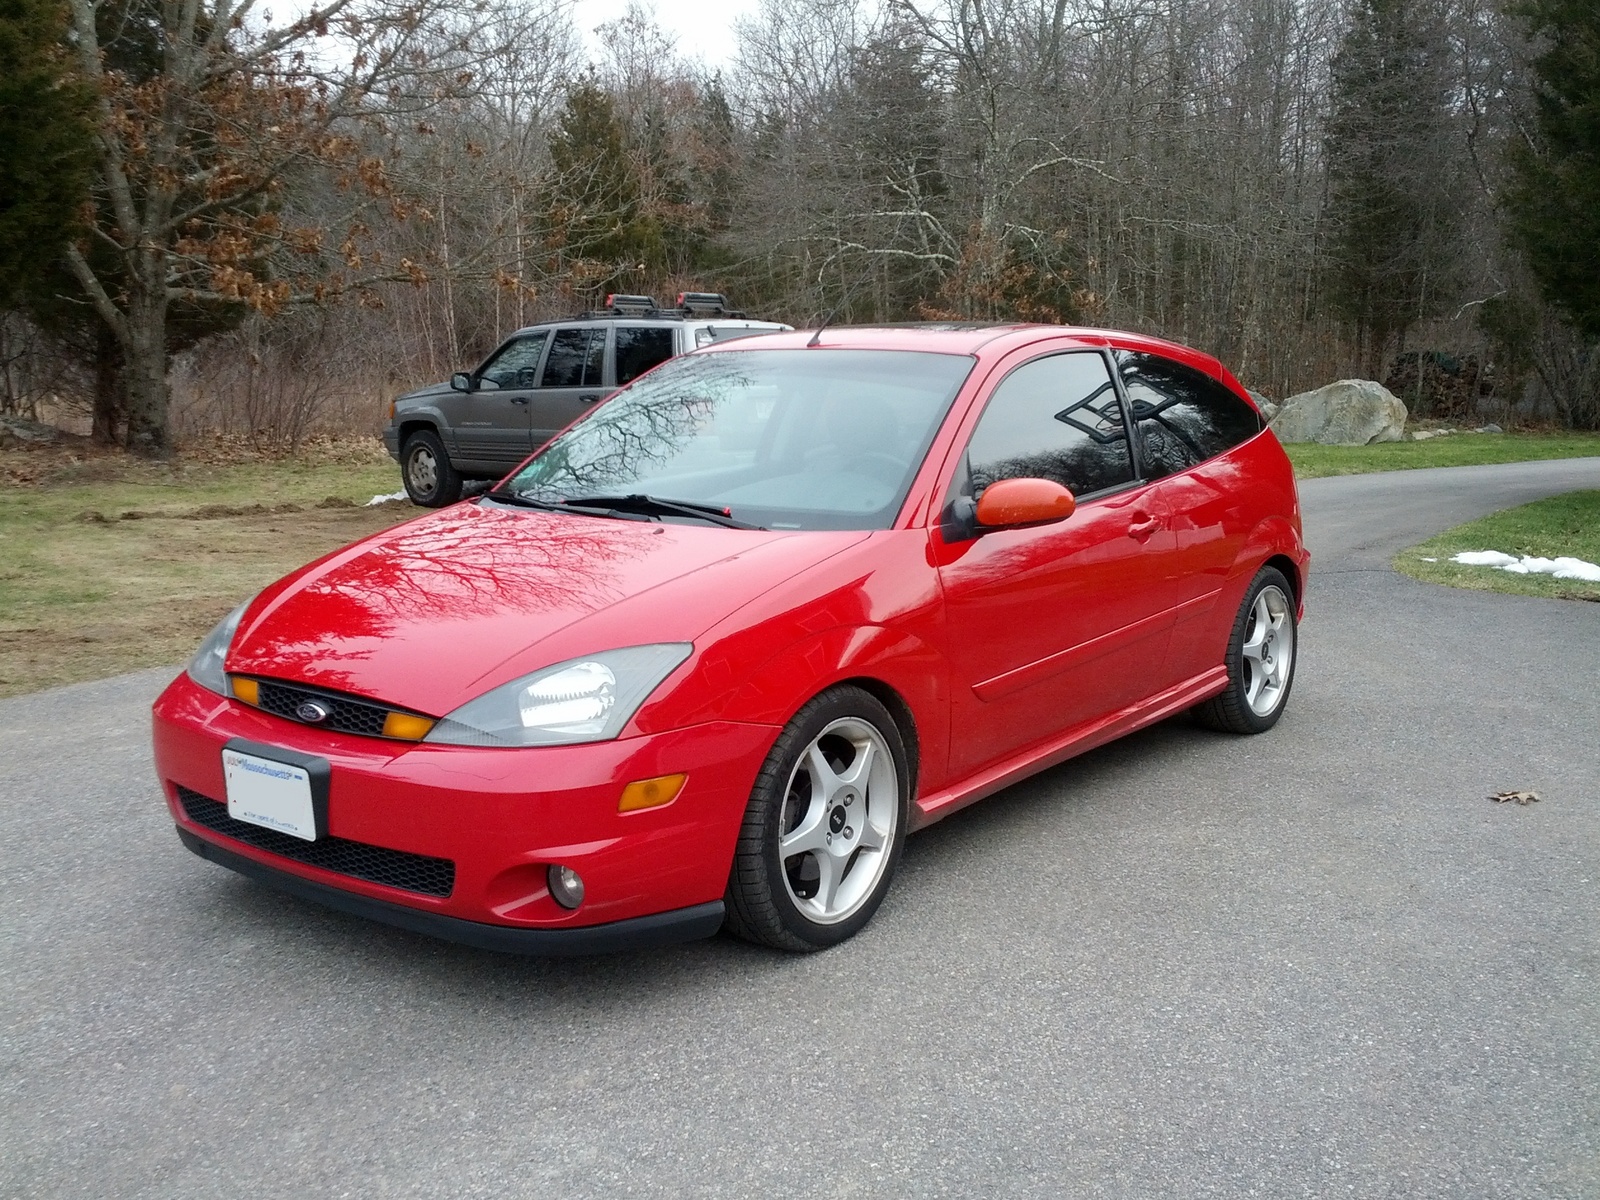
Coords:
pixel 46 151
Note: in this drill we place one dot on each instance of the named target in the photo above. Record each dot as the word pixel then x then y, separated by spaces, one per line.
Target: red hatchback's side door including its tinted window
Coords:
pixel 1052 626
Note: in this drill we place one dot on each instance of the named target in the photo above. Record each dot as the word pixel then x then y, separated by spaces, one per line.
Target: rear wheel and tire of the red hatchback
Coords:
pixel 1262 655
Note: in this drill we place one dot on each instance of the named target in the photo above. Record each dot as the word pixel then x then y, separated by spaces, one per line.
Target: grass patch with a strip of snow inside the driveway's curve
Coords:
pixel 1561 526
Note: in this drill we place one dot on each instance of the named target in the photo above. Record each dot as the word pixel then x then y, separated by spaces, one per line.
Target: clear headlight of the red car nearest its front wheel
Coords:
pixel 586 700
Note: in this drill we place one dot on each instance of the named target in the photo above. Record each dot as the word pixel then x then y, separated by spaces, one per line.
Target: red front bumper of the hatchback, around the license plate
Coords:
pixel 502 817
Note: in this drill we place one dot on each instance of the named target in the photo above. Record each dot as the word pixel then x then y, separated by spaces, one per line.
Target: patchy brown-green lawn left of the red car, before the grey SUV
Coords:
pixel 111 566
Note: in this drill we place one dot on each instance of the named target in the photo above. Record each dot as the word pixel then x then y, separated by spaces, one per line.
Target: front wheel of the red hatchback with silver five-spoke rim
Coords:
pixel 834 793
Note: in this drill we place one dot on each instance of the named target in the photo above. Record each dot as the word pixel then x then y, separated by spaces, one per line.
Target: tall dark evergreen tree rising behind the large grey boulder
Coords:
pixel 1394 167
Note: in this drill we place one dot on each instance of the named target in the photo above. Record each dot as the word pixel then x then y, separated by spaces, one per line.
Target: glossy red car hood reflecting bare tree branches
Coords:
pixel 436 612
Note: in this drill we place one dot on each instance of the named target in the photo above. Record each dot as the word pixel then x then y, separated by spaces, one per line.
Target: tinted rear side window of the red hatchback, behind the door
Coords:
pixel 1185 417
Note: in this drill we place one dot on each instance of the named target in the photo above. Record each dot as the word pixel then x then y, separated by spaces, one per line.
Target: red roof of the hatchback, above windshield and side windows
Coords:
pixel 974 338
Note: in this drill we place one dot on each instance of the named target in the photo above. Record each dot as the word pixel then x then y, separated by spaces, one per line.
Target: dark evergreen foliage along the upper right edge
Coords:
pixel 1554 204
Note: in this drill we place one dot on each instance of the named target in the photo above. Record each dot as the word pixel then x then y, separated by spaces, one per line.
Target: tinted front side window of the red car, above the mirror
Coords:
pixel 1054 418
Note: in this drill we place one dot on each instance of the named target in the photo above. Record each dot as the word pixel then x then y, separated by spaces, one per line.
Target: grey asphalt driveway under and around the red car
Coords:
pixel 1311 964
